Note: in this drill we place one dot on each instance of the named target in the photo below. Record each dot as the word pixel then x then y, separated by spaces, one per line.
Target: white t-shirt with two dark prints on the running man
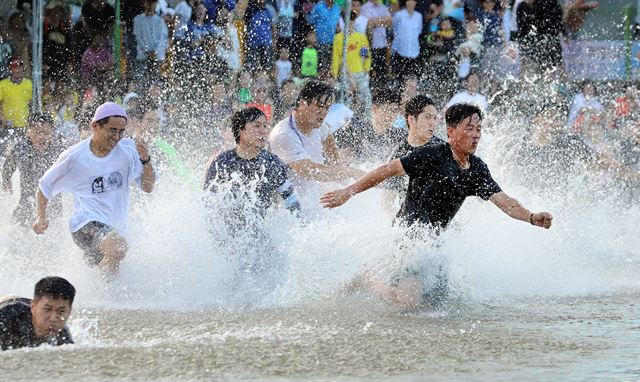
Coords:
pixel 100 186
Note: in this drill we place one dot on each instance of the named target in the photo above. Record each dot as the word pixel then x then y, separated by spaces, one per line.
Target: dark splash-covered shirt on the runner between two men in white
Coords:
pixel 267 173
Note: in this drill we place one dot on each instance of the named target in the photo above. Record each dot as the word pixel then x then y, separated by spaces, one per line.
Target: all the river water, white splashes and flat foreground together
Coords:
pixel 526 303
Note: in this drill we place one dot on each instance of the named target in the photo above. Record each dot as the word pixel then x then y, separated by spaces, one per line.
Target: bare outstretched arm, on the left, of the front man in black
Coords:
pixel 339 197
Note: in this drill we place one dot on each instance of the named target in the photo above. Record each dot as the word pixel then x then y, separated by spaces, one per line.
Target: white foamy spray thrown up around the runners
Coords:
pixel 180 258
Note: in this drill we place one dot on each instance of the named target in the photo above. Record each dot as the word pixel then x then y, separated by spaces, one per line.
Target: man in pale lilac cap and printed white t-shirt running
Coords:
pixel 97 171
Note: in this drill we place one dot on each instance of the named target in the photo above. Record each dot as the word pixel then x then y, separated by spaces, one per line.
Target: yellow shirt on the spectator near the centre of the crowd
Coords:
pixel 357 44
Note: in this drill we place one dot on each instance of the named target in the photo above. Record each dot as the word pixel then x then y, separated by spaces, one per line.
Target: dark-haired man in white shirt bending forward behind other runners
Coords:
pixel 306 144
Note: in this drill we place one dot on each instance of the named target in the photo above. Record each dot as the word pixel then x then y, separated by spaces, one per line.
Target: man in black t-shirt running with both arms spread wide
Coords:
pixel 440 179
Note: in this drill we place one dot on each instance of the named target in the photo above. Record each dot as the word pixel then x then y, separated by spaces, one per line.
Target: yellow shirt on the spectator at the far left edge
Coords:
pixel 15 100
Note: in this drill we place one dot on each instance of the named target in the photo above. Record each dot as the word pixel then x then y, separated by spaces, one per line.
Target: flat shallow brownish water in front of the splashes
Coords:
pixel 578 338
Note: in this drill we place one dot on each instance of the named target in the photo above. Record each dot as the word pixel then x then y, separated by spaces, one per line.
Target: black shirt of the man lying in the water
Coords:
pixel 16 327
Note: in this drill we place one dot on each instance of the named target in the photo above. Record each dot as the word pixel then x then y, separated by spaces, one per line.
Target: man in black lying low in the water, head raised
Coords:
pixel 31 323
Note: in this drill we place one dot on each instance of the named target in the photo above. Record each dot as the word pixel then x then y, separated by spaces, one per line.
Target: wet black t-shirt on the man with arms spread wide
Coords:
pixel 438 186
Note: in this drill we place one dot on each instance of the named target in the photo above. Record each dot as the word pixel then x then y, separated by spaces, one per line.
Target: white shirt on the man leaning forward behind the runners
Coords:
pixel 291 145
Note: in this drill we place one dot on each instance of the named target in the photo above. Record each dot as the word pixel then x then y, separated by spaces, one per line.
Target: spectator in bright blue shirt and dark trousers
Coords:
pixel 324 18
